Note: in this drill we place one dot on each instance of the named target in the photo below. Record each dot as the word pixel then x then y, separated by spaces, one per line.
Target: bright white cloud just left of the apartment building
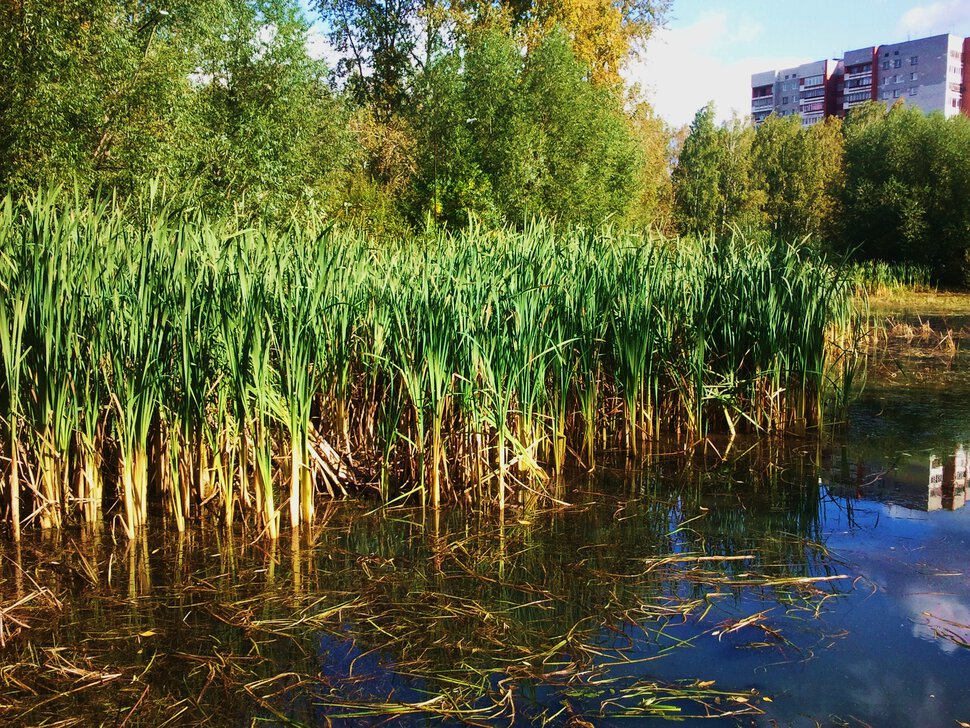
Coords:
pixel 680 69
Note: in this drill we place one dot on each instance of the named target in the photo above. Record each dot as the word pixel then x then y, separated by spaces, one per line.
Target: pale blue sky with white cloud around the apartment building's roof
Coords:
pixel 709 48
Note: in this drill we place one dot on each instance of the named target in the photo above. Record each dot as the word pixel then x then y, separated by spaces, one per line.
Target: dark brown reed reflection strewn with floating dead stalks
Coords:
pixel 400 613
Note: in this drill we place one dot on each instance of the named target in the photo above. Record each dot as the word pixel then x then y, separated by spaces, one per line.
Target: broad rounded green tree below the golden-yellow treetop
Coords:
pixel 505 137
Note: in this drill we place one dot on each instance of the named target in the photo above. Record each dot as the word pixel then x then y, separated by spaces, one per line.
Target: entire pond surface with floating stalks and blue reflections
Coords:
pixel 787 583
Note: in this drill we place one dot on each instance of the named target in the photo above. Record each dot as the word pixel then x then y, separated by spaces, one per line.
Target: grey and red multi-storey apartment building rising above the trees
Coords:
pixel 929 73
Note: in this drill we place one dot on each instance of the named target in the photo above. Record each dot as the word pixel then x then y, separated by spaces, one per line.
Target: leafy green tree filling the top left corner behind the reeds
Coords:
pixel 94 91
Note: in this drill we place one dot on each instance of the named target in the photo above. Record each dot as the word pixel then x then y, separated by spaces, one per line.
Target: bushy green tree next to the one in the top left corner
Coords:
pixel 266 128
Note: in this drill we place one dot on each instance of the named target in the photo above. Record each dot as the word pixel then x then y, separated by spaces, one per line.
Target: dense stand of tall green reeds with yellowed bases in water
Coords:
pixel 161 360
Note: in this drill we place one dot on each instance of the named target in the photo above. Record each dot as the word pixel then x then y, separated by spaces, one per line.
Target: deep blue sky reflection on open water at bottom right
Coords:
pixel 882 653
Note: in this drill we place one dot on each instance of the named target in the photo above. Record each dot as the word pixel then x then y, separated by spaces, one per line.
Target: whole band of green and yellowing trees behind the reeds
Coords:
pixel 445 113
